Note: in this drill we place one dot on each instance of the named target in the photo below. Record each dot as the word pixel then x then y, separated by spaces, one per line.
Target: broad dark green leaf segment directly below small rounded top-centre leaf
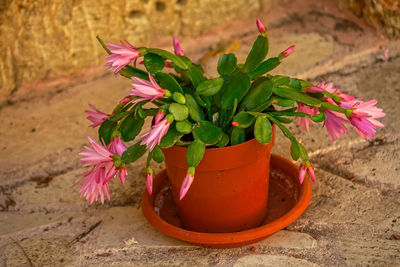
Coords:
pixel 237 88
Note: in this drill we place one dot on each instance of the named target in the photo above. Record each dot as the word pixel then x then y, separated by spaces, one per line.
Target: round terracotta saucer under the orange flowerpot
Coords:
pixel 287 201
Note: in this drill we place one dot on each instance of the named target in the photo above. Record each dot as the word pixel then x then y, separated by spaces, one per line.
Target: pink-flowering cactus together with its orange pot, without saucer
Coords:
pixel 215 134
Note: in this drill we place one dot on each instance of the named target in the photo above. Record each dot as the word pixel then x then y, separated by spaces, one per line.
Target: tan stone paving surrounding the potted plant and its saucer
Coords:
pixel 354 215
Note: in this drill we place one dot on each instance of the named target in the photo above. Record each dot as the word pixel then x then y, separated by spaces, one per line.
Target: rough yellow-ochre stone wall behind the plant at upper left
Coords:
pixel 44 40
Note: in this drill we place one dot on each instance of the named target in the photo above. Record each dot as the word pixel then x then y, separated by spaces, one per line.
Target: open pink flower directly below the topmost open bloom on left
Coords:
pixel 145 90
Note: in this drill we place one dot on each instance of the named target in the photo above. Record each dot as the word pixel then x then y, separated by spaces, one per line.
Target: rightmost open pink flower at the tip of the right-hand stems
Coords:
pixel 364 117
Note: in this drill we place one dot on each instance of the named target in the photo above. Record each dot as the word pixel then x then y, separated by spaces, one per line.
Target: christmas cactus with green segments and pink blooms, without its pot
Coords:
pixel 189 109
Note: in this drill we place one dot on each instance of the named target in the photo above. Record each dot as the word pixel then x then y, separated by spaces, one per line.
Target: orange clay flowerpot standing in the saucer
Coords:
pixel 230 188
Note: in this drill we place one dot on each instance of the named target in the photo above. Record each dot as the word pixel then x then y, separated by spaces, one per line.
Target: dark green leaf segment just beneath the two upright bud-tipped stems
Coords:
pixel 258 95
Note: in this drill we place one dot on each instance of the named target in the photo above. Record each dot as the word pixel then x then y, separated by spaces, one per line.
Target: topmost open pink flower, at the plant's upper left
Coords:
pixel 121 55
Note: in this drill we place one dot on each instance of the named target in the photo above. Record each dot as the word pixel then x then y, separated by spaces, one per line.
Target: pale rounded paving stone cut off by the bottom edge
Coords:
pixel 272 261
